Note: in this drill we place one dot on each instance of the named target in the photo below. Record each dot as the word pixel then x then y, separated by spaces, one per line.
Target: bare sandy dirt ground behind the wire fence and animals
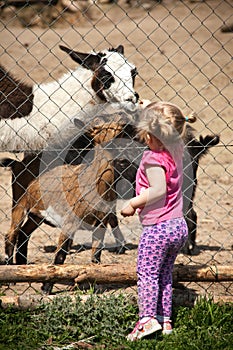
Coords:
pixel 181 56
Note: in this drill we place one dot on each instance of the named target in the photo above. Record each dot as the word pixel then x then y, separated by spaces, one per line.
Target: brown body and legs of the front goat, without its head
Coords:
pixel 67 197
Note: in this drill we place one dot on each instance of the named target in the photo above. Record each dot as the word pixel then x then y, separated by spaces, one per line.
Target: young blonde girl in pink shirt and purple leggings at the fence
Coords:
pixel 159 204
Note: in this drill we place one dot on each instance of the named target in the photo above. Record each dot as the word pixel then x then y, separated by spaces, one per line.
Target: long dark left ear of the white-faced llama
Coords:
pixel 87 60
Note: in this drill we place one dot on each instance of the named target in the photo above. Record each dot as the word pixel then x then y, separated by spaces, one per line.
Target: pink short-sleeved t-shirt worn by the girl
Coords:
pixel 171 205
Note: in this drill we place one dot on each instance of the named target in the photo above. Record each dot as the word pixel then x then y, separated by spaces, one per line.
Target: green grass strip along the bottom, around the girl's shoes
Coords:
pixel 105 321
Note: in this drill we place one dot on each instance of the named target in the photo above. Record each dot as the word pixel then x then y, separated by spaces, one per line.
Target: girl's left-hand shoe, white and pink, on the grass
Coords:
pixel 143 329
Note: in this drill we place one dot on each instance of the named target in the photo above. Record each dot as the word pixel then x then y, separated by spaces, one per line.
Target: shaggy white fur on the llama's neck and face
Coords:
pixel 59 101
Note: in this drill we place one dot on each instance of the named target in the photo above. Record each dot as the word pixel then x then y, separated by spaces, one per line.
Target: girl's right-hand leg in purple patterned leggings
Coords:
pixel 176 236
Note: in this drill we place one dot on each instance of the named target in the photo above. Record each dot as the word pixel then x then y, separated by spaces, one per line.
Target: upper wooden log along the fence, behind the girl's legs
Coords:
pixel 107 273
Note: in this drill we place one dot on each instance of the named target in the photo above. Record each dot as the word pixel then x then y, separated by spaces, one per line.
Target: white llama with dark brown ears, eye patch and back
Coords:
pixel 31 115
